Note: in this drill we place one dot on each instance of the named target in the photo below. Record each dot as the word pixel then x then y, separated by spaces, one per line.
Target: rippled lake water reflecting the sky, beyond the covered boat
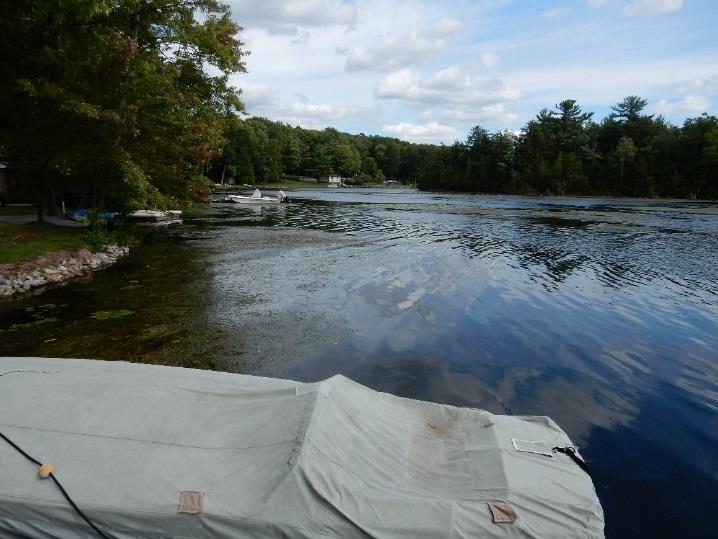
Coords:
pixel 602 314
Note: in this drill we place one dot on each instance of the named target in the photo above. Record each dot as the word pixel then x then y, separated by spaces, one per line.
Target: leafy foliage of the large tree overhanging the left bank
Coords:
pixel 125 100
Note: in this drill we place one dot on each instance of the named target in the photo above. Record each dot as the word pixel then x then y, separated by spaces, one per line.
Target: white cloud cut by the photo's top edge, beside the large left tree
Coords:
pixel 285 16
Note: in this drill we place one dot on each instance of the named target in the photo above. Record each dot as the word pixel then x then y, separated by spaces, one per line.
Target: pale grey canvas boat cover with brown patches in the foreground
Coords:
pixel 268 458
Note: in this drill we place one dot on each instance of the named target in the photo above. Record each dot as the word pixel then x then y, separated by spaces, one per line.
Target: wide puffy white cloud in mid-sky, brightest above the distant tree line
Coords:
pixel 450 85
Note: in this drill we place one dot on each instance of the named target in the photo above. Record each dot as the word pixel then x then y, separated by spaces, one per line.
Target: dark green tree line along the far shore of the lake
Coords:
pixel 561 152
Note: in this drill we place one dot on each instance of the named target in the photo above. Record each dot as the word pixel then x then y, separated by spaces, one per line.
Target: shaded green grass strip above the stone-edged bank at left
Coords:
pixel 21 242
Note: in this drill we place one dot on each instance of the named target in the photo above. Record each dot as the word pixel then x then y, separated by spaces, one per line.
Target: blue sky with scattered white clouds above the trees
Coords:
pixel 429 71
